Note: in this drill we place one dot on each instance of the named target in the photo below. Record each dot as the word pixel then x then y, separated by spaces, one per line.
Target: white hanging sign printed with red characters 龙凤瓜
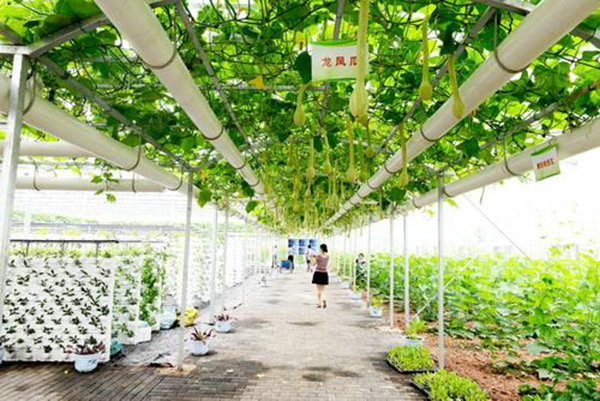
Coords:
pixel 334 60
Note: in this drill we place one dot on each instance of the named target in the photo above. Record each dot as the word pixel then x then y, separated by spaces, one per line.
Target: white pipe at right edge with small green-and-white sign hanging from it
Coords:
pixel 578 141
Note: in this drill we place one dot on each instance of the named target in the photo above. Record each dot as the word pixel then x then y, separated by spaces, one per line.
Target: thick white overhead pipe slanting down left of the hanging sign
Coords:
pixel 138 24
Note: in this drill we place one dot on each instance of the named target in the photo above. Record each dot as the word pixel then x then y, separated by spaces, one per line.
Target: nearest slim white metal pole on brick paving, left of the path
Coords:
pixel 186 267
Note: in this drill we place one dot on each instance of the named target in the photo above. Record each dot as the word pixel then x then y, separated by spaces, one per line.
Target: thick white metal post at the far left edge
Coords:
pixel 10 163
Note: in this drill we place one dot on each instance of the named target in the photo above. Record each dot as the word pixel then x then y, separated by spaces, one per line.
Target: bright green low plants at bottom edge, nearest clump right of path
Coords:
pixel 448 386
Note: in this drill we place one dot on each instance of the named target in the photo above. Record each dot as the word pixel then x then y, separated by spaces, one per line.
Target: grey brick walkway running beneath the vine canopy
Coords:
pixel 282 348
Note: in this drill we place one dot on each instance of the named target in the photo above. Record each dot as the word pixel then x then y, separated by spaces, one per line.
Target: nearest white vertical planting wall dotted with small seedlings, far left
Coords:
pixel 54 303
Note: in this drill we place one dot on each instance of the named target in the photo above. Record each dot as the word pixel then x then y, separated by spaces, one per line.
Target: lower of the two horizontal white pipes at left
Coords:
pixel 81 184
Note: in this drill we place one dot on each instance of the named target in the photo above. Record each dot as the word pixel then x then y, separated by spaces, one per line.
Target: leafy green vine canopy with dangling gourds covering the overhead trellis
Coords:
pixel 252 62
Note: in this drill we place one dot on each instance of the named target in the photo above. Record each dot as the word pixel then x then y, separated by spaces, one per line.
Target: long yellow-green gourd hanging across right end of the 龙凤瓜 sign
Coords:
pixel 359 100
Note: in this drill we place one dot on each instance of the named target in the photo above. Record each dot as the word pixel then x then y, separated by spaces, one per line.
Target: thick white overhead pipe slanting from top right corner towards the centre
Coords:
pixel 543 27
